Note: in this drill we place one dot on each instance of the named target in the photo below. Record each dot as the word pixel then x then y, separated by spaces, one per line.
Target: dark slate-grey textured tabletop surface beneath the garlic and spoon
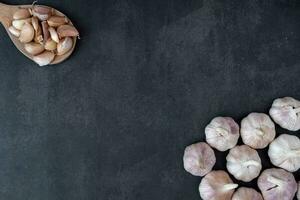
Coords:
pixel 111 123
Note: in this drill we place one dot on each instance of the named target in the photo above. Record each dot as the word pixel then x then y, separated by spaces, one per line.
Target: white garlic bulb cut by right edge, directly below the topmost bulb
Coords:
pixel 284 152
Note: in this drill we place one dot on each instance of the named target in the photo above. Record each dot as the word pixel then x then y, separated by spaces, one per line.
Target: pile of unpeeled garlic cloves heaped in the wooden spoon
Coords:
pixel 44 33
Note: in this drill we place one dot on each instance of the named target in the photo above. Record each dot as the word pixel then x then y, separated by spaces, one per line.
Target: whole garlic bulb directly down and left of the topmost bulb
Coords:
pixel 257 130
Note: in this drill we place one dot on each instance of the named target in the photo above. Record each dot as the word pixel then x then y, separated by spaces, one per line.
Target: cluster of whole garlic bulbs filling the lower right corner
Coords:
pixel 257 131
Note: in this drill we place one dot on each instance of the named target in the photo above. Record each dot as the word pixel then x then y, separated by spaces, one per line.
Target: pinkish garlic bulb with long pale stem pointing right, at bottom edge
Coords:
pixel 217 185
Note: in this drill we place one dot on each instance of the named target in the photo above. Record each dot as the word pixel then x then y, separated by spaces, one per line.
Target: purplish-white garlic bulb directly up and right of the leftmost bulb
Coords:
pixel 222 133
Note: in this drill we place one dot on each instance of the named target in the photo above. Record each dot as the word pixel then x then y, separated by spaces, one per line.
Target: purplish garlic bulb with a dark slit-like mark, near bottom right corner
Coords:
pixel 277 184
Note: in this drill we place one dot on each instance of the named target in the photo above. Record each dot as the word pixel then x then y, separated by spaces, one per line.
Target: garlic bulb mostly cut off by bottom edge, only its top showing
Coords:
pixel 244 193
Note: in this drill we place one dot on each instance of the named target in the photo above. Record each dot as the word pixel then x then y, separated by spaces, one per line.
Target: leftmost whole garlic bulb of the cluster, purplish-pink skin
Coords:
pixel 199 159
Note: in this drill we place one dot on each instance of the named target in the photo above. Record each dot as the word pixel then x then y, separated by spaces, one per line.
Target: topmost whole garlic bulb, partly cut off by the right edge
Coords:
pixel 286 112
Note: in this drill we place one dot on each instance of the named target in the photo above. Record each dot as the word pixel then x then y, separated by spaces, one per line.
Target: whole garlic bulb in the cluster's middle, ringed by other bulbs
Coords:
pixel 243 163
